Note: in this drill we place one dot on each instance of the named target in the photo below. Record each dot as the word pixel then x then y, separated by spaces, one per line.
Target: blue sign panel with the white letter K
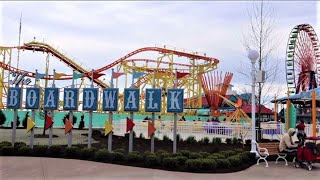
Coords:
pixel 175 100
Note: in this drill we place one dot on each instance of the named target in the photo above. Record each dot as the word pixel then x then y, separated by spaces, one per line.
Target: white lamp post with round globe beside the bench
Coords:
pixel 253 56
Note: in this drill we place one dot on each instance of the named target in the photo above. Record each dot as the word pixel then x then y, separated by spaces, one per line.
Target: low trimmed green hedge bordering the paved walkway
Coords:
pixel 184 160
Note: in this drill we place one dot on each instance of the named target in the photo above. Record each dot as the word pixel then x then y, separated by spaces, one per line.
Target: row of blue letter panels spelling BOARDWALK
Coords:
pixel 110 99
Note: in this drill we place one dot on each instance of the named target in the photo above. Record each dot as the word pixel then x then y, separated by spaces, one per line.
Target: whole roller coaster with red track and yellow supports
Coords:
pixel 162 71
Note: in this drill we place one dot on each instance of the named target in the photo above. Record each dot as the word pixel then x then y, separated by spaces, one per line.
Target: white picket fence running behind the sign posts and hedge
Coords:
pixel 208 129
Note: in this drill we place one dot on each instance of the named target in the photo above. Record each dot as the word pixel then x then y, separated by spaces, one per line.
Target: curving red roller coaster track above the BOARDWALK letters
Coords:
pixel 43 47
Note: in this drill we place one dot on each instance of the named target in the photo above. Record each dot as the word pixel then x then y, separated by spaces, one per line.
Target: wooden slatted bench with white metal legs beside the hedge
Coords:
pixel 266 149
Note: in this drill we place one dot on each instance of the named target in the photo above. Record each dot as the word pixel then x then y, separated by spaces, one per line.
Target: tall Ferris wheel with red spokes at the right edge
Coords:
pixel 302 59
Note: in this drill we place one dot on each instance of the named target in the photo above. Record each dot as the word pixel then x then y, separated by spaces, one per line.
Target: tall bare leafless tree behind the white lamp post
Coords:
pixel 262 37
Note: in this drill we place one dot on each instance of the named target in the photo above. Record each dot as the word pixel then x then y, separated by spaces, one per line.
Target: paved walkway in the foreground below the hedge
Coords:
pixel 24 168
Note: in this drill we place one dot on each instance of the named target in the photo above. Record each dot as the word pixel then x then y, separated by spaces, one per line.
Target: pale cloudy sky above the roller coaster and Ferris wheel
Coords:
pixel 98 33
